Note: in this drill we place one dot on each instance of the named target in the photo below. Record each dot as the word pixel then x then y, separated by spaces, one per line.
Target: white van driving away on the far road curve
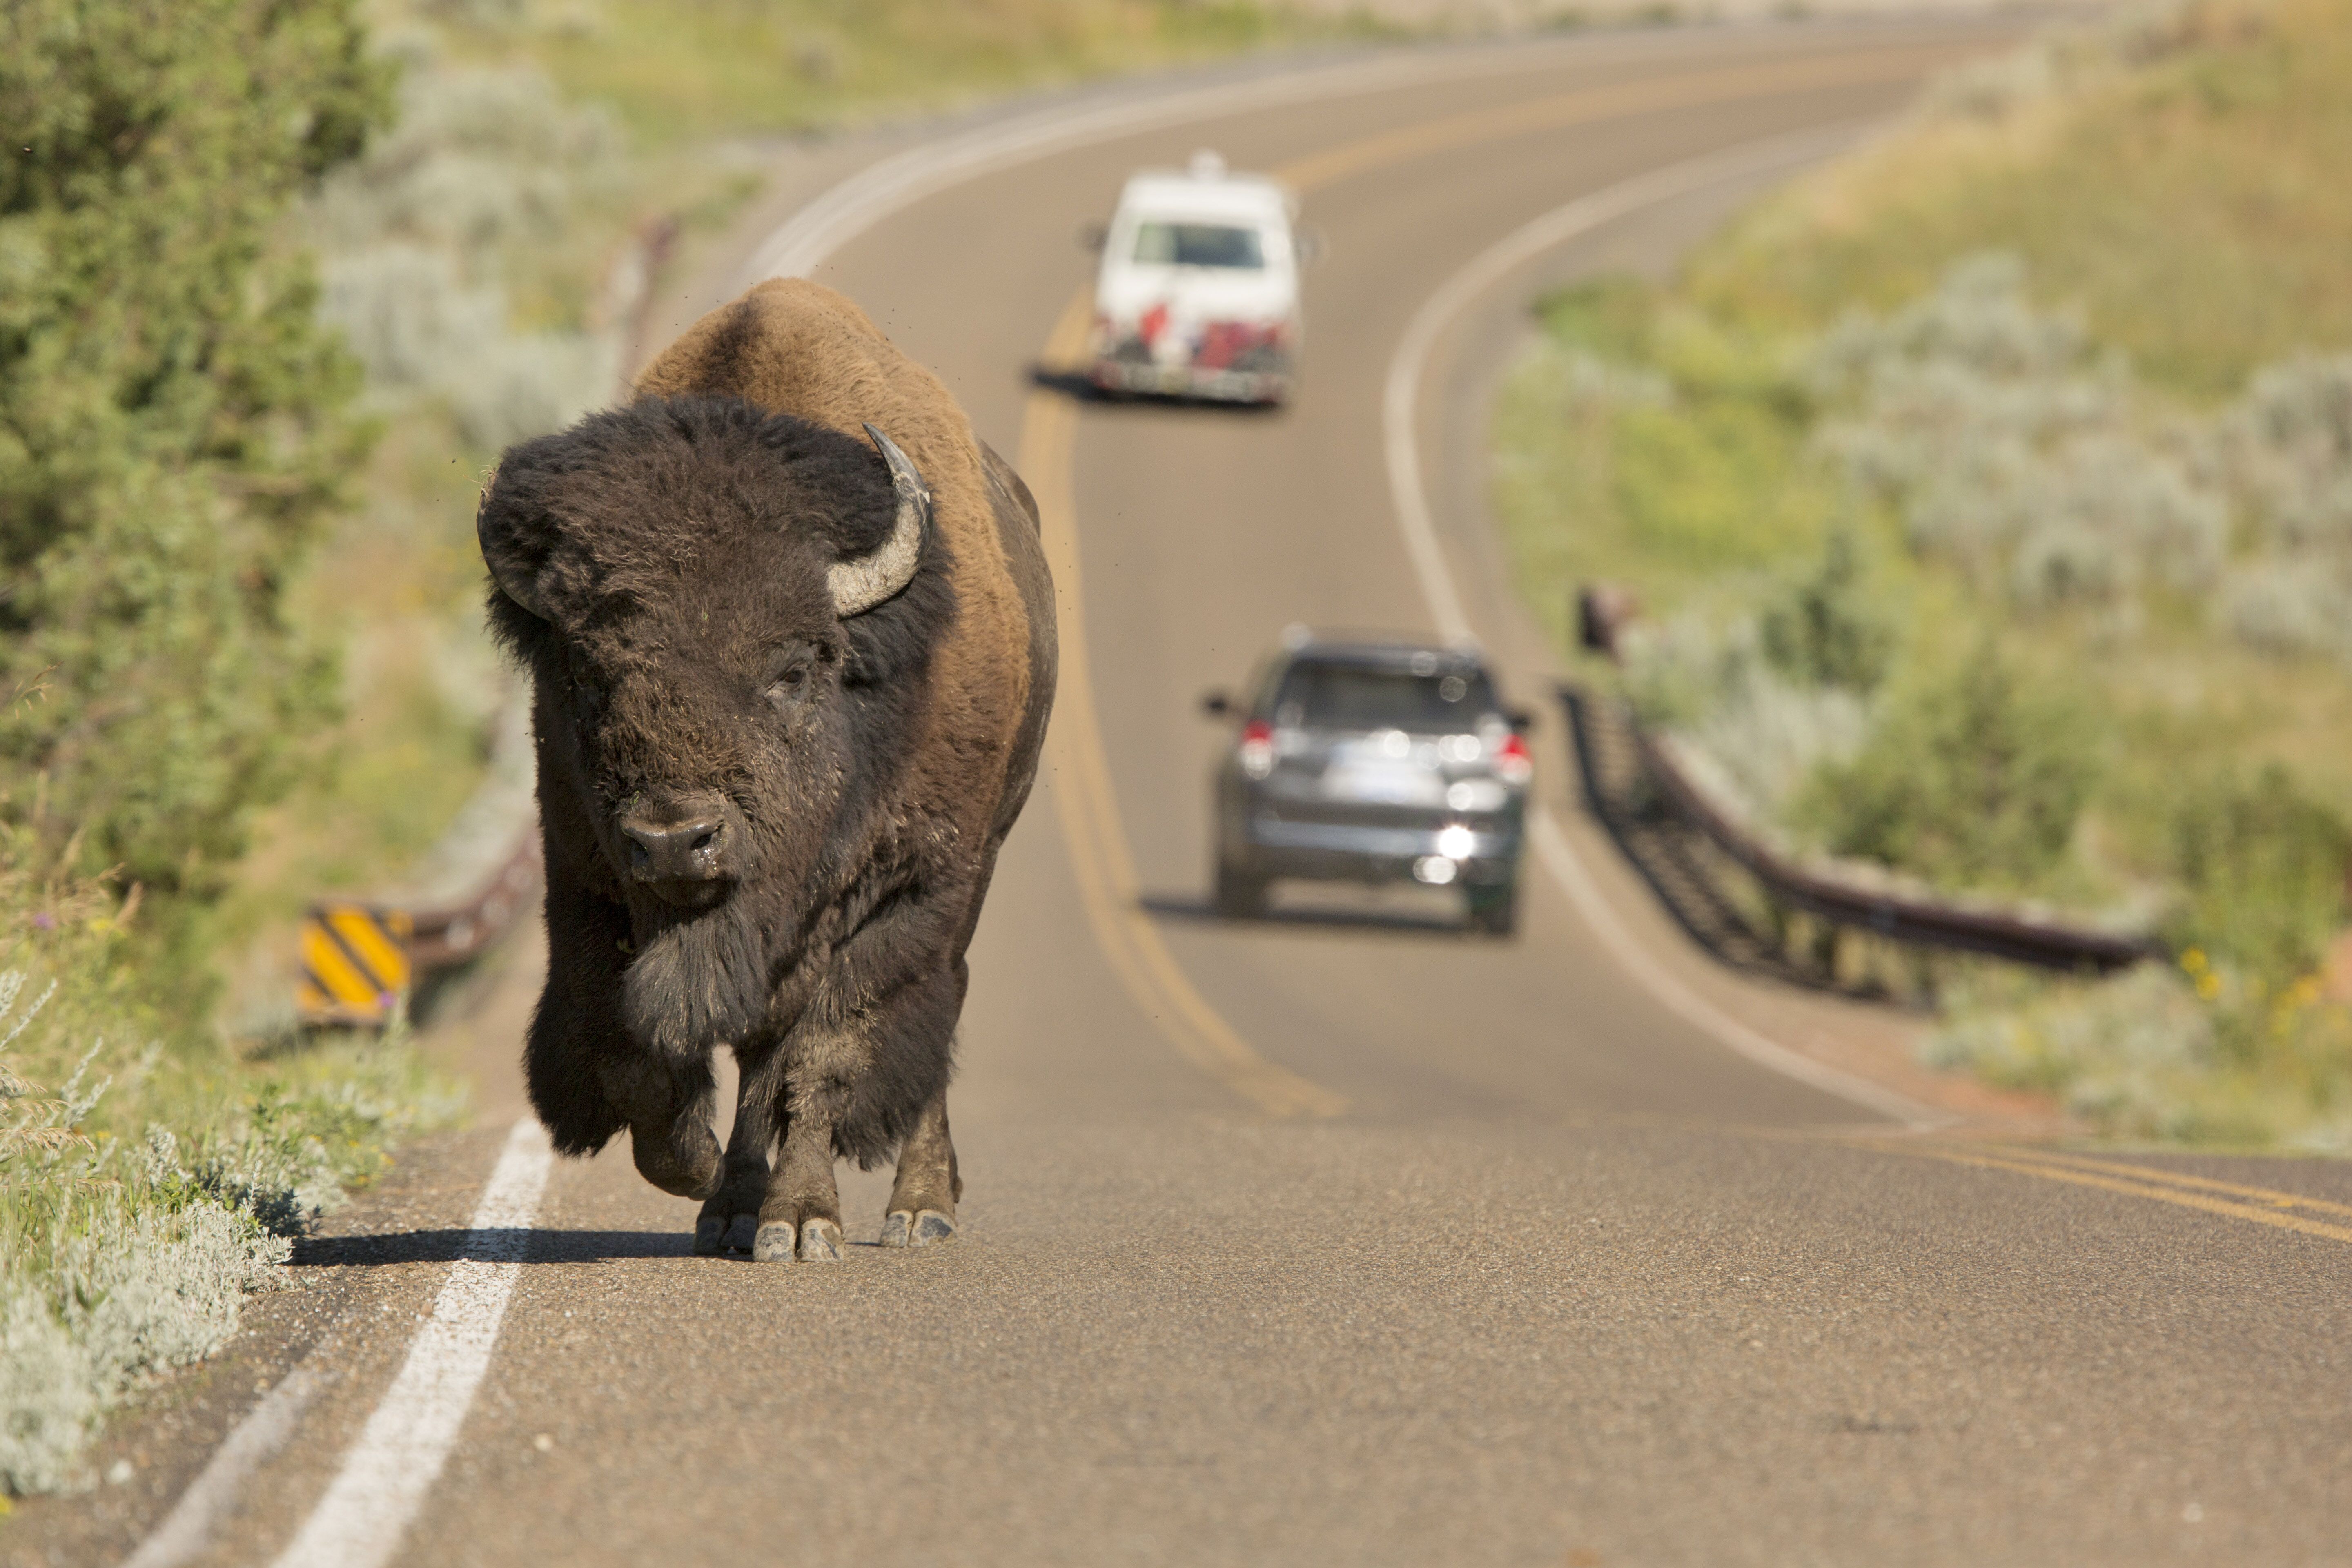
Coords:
pixel 1198 293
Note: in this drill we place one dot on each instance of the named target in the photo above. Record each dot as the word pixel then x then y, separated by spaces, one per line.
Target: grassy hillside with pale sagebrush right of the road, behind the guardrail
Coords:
pixel 1991 497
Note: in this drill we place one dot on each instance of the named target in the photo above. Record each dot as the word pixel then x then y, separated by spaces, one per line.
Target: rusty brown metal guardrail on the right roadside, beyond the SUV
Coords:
pixel 1603 615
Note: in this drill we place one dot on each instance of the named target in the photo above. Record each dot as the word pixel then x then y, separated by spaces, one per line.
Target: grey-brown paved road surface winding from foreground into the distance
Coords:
pixel 1337 1238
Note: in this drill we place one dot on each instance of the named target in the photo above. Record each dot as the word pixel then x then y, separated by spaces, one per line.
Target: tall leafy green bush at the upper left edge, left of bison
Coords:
pixel 173 422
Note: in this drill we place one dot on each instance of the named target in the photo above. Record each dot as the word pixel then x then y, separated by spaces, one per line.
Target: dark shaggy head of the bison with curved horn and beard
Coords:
pixel 728 619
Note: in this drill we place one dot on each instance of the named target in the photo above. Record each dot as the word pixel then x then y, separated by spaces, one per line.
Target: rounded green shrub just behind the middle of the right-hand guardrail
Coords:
pixel 1972 777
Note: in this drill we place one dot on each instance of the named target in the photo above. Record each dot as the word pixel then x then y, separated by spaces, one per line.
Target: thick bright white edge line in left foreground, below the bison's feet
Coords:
pixel 408 1438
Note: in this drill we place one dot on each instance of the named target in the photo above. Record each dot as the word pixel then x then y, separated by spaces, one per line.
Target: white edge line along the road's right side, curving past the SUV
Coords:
pixel 1401 436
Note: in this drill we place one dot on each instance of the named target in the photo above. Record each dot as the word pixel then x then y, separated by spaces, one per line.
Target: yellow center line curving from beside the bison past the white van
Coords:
pixel 1083 793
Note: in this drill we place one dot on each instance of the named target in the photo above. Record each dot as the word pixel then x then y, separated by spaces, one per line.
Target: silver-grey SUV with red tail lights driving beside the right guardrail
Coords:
pixel 1363 760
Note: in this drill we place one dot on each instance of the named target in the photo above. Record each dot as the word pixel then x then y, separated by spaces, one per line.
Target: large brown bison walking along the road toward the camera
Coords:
pixel 791 645
